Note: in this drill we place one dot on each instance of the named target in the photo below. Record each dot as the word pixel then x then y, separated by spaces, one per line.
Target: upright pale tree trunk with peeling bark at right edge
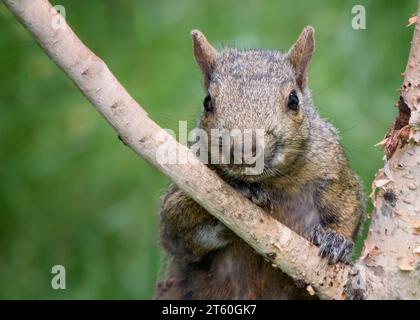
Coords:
pixel 392 249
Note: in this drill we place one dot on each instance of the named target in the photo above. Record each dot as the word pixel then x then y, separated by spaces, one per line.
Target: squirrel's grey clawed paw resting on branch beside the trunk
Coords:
pixel 332 245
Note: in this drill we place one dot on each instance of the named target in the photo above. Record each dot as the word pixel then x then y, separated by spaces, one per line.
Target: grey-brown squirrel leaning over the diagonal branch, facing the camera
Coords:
pixel 306 183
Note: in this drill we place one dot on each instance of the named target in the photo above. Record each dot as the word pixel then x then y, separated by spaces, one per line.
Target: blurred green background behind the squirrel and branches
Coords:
pixel 72 194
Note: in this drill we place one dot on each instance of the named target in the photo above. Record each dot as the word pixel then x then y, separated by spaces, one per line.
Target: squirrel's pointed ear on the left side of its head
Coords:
pixel 204 53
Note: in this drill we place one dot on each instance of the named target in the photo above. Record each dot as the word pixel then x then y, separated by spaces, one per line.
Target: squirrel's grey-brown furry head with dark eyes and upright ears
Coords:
pixel 261 90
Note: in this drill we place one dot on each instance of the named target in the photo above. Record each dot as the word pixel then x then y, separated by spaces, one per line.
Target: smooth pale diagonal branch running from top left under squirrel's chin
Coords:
pixel 282 247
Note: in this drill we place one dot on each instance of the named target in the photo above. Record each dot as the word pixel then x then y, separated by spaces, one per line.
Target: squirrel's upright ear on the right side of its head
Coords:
pixel 300 54
